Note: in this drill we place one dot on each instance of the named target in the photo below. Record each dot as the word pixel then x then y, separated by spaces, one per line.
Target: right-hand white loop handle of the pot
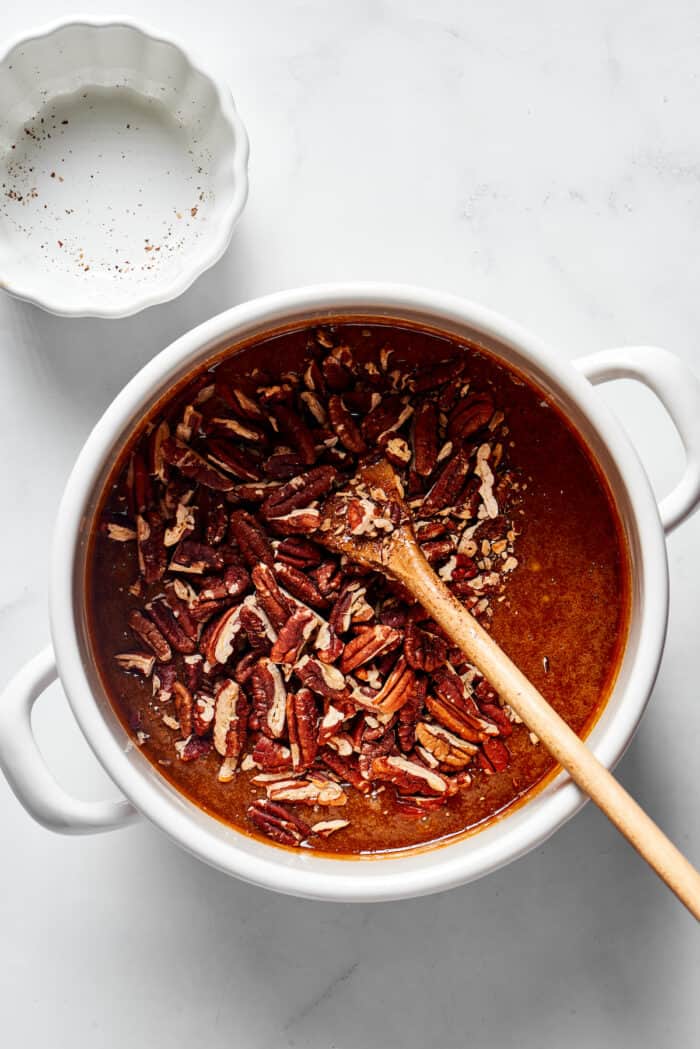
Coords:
pixel 678 390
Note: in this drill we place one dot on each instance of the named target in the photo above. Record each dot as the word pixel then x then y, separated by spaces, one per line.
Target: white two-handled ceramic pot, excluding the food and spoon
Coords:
pixel 301 873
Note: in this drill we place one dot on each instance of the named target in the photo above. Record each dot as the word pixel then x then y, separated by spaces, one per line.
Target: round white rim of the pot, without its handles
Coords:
pixel 312 875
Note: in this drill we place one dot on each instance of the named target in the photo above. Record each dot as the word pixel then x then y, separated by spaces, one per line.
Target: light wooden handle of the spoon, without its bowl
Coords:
pixel 584 768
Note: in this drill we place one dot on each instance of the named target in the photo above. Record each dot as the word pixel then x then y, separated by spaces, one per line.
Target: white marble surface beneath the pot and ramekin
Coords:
pixel 545 160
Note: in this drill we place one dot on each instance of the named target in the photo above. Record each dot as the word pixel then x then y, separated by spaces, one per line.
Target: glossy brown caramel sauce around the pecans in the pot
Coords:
pixel 564 619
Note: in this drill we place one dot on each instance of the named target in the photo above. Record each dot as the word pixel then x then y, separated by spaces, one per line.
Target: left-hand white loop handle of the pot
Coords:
pixel 25 767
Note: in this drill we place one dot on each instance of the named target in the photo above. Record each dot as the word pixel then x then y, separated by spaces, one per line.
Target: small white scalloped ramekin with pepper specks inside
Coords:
pixel 123 169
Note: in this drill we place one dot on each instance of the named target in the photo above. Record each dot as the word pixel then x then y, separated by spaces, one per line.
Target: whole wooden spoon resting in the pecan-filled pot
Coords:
pixel 370 524
